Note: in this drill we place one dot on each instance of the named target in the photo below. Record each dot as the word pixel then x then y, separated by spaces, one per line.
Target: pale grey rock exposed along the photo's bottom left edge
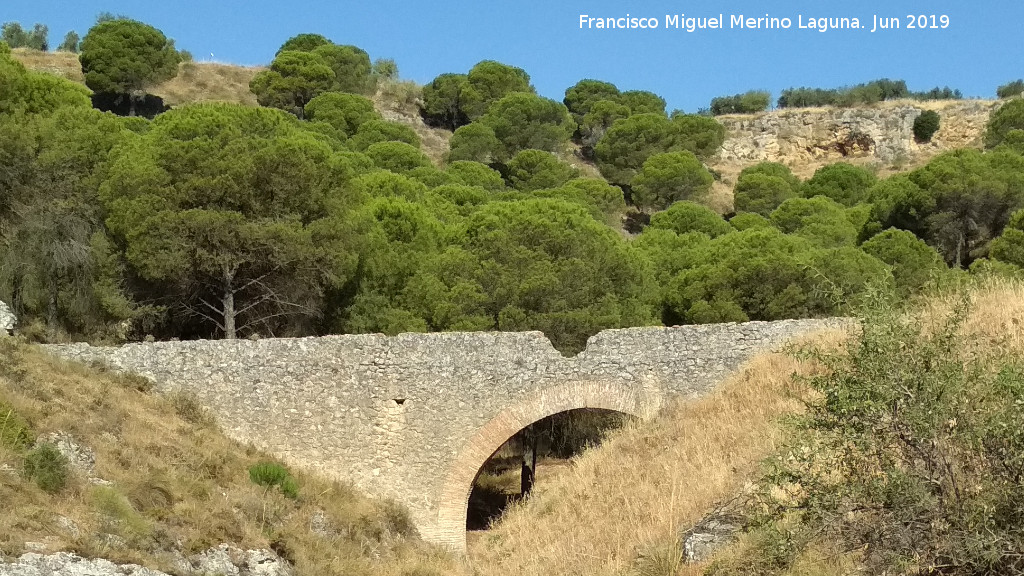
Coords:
pixel 223 561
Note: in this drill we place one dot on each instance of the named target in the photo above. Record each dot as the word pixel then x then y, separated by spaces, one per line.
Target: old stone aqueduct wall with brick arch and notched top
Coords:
pixel 414 418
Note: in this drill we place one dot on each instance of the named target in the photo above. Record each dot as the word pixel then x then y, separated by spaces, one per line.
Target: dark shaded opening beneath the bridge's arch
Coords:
pixel 535 456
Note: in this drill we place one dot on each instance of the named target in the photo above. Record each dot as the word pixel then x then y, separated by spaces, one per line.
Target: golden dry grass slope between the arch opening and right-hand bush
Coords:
pixel 623 506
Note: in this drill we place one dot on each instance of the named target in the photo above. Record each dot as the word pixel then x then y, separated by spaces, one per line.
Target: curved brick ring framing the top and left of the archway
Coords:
pixel 450 529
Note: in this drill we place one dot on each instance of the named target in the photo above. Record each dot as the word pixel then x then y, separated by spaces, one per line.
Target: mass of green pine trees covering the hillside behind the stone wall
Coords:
pixel 318 214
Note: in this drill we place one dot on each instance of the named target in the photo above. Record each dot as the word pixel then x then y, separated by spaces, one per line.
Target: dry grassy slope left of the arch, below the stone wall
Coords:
pixel 179 486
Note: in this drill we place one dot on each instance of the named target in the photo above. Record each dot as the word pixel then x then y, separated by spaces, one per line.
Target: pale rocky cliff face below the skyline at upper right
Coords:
pixel 808 139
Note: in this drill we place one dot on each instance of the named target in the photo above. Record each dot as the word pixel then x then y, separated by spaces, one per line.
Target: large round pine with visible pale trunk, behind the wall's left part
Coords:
pixel 233 209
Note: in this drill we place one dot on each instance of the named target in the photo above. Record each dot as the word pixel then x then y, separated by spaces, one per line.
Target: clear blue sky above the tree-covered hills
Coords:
pixel 982 49
